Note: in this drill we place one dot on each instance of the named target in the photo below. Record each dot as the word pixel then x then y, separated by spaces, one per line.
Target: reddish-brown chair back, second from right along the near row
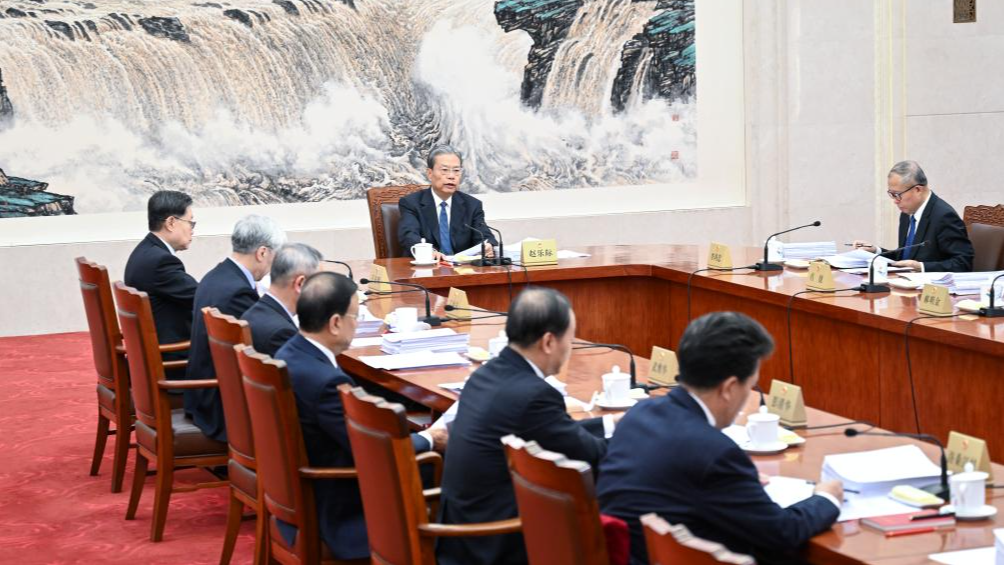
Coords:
pixel 558 506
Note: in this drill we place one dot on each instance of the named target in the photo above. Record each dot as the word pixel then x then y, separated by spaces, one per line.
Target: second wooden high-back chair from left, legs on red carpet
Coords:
pixel 167 438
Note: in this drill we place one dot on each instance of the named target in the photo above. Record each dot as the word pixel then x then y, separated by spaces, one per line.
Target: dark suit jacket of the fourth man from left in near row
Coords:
pixel 340 511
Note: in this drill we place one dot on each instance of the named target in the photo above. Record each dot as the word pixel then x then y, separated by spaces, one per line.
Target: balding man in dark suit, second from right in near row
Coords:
pixel 510 396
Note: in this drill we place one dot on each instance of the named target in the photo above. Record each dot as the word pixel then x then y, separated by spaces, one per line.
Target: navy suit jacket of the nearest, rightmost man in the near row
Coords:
pixel 665 458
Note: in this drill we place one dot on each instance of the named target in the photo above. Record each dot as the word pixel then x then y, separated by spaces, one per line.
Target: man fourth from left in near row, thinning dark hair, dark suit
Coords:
pixel 328 309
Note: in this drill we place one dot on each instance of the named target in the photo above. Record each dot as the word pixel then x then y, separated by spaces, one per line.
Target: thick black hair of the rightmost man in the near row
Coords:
pixel 721 345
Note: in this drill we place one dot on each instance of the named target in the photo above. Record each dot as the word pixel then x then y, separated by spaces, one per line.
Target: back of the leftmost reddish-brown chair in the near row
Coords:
pixel 104 328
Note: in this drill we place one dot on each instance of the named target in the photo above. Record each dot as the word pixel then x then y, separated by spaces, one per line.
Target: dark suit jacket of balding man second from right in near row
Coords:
pixel 504 397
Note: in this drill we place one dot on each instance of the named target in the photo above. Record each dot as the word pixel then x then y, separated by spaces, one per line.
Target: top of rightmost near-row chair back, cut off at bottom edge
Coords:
pixel 671 545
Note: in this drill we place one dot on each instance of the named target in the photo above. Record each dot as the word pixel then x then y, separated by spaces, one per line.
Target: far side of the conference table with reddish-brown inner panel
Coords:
pixel 849 349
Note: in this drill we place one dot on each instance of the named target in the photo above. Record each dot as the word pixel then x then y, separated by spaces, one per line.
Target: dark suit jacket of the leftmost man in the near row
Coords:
pixel 154 270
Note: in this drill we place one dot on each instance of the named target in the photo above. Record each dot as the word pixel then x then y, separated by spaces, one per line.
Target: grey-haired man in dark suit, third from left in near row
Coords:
pixel 273 318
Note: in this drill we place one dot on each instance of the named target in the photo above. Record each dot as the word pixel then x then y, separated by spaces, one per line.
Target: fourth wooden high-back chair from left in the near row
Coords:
pixel 285 476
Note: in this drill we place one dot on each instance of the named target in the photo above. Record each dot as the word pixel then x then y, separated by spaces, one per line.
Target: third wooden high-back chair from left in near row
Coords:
pixel 225 332
